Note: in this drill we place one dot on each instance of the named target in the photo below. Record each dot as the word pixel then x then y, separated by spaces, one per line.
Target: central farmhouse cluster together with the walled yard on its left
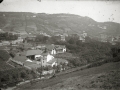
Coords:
pixel 42 56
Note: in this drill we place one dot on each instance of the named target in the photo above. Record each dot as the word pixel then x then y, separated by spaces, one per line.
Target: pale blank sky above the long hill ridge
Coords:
pixel 100 11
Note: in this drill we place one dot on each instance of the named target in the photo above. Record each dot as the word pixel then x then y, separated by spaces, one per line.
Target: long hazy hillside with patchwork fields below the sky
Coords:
pixel 55 24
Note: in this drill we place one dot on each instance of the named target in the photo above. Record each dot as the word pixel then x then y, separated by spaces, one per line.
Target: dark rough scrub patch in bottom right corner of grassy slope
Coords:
pixel 106 81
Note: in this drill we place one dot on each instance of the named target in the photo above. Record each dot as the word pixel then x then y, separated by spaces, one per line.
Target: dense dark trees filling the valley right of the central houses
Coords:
pixel 88 52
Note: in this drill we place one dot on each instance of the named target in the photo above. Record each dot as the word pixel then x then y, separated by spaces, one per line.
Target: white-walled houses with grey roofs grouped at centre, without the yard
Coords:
pixel 45 58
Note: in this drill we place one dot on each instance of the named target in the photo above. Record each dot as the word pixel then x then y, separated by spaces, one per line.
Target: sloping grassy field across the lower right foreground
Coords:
pixel 104 77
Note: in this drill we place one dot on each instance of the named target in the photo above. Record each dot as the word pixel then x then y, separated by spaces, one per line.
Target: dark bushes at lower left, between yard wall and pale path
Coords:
pixel 13 76
